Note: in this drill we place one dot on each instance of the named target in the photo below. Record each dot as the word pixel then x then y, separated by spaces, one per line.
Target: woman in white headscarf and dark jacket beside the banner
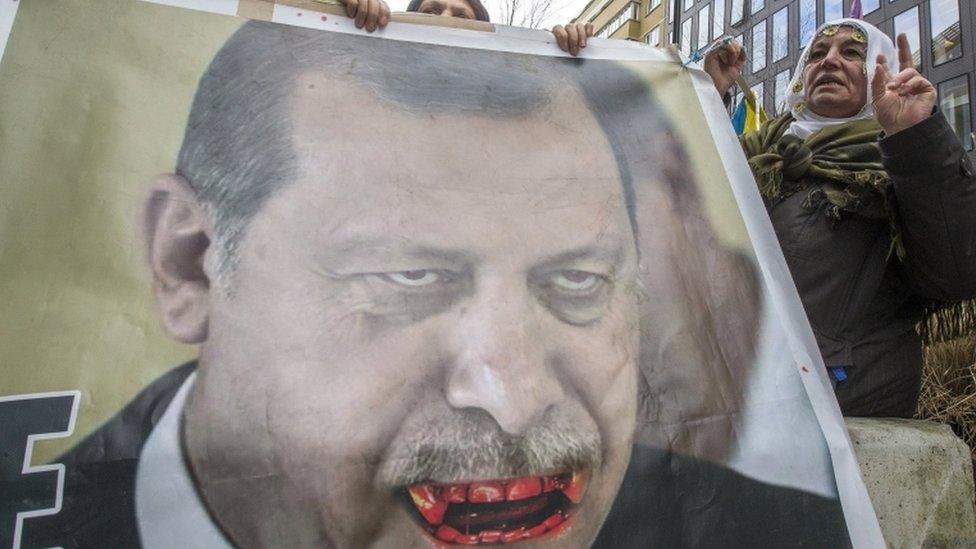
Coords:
pixel 873 200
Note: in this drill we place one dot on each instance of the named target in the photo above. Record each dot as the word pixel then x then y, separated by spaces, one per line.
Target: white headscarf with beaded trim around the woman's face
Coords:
pixel 806 121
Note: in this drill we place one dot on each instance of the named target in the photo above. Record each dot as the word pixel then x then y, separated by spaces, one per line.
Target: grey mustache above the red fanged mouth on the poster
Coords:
pixel 466 445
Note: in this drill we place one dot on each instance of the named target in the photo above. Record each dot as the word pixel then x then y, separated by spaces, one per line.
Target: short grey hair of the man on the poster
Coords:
pixel 237 151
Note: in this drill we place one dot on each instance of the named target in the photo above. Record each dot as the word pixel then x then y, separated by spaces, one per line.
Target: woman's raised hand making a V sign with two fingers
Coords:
pixel 904 99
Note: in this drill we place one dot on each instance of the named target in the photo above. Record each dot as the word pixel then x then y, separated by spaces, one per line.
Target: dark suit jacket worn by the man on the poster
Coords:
pixel 666 500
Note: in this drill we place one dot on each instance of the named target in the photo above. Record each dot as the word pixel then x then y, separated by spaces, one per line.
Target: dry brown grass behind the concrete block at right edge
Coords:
pixel 949 387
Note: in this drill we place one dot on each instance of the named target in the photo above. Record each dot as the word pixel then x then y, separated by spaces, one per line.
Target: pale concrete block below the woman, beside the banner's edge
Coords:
pixel 920 479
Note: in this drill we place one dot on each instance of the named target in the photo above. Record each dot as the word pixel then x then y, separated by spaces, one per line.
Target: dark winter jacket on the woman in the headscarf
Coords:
pixel 862 301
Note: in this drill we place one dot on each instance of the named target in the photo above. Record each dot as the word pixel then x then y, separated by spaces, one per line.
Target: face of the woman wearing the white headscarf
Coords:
pixel 834 77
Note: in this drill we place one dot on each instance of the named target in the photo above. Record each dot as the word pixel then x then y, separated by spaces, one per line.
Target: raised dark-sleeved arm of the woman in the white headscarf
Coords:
pixel 935 193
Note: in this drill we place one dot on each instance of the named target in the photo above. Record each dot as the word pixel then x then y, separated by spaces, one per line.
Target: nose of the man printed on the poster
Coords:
pixel 501 364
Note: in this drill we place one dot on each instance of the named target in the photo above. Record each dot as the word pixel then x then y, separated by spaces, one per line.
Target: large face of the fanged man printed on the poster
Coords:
pixel 430 334
